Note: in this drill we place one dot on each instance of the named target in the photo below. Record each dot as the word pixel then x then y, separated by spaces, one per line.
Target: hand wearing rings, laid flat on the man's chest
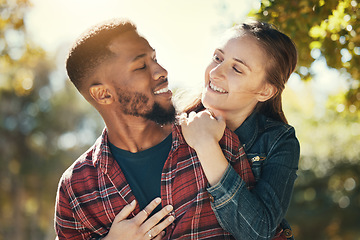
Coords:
pixel 140 227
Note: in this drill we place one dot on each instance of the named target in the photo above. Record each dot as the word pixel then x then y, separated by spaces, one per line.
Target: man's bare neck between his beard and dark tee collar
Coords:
pixel 138 135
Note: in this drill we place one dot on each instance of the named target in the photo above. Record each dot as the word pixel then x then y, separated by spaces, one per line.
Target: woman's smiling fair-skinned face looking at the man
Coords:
pixel 235 78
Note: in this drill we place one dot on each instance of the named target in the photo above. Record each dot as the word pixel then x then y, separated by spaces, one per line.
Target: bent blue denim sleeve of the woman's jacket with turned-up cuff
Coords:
pixel 256 213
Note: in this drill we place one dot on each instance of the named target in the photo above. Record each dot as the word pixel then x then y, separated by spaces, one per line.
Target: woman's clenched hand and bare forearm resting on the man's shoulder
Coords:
pixel 202 131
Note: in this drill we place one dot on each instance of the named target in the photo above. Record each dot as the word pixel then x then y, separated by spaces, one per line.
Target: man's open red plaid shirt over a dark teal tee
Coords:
pixel 94 189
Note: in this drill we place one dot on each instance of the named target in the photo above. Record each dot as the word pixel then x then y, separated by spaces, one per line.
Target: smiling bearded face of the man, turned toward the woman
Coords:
pixel 139 82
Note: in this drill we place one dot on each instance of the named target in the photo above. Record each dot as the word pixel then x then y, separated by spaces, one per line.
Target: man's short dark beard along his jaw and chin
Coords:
pixel 136 104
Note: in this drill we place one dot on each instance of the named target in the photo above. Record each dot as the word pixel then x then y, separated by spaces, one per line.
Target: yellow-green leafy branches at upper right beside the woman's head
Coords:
pixel 321 29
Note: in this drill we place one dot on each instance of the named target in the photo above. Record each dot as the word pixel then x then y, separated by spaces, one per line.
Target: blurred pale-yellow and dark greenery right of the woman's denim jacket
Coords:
pixel 326 199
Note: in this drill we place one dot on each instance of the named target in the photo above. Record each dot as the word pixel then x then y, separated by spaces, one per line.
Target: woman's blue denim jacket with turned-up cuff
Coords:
pixel 274 151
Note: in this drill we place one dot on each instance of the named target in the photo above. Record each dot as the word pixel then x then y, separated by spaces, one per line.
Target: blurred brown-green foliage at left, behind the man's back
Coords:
pixel 43 128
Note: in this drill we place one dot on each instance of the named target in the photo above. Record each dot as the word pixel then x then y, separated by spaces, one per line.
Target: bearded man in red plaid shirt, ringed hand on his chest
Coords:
pixel 141 155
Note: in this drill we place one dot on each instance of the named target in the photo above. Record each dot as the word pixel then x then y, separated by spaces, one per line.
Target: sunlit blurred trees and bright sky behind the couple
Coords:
pixel 45 124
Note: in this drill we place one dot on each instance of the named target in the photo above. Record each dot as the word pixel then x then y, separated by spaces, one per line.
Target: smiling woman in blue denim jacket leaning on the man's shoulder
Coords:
pixel 243 86
